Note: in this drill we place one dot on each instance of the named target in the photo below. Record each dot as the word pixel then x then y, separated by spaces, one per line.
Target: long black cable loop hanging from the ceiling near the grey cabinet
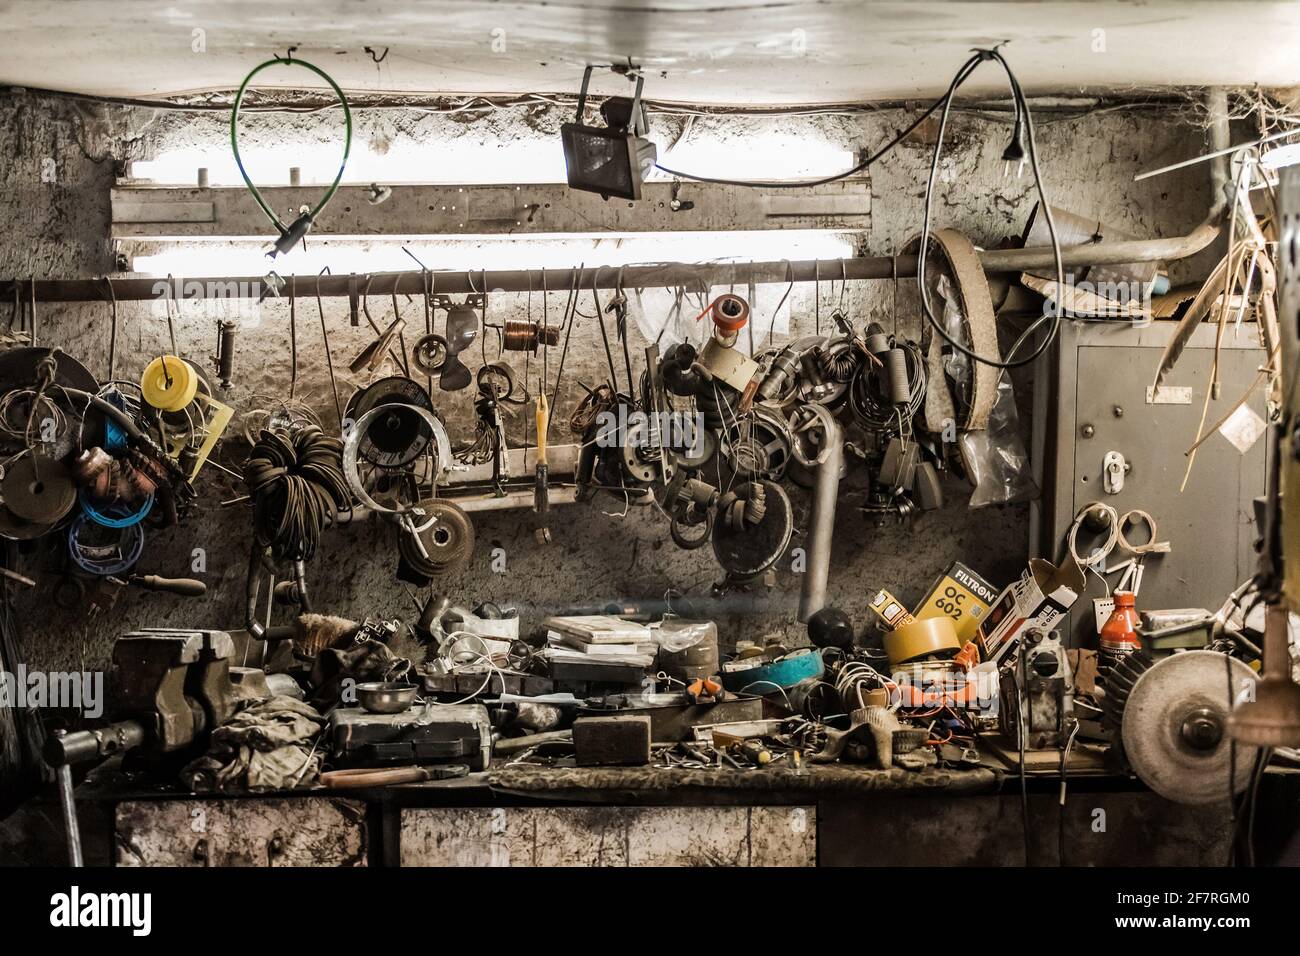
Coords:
pixel 1054 310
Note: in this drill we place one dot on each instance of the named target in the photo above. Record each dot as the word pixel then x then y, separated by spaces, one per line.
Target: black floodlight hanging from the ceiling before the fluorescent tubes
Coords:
pixel 612 161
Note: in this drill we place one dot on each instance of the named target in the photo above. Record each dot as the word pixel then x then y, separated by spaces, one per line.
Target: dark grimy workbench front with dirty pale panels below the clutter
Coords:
pixel 531 815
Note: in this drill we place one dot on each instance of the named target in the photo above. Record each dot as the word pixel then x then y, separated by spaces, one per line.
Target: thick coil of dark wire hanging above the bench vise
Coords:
pixel 297 485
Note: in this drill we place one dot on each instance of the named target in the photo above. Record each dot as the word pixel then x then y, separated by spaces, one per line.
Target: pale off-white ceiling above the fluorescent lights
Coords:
pixel 717 51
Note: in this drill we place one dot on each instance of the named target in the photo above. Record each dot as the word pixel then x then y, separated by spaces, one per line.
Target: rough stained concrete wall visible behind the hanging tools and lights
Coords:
pixel 59 231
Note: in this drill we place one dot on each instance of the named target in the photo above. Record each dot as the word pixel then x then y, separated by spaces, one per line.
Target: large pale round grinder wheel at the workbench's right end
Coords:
pixel 1173 700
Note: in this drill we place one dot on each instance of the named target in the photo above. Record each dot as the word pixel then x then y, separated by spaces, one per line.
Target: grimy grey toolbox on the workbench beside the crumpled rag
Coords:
pixel 423 734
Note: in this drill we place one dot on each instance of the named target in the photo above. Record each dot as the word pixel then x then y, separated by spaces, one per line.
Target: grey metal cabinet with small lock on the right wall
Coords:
pixel 1093 400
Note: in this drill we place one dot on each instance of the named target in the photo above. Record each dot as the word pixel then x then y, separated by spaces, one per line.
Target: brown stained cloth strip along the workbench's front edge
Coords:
pixel 814 780
